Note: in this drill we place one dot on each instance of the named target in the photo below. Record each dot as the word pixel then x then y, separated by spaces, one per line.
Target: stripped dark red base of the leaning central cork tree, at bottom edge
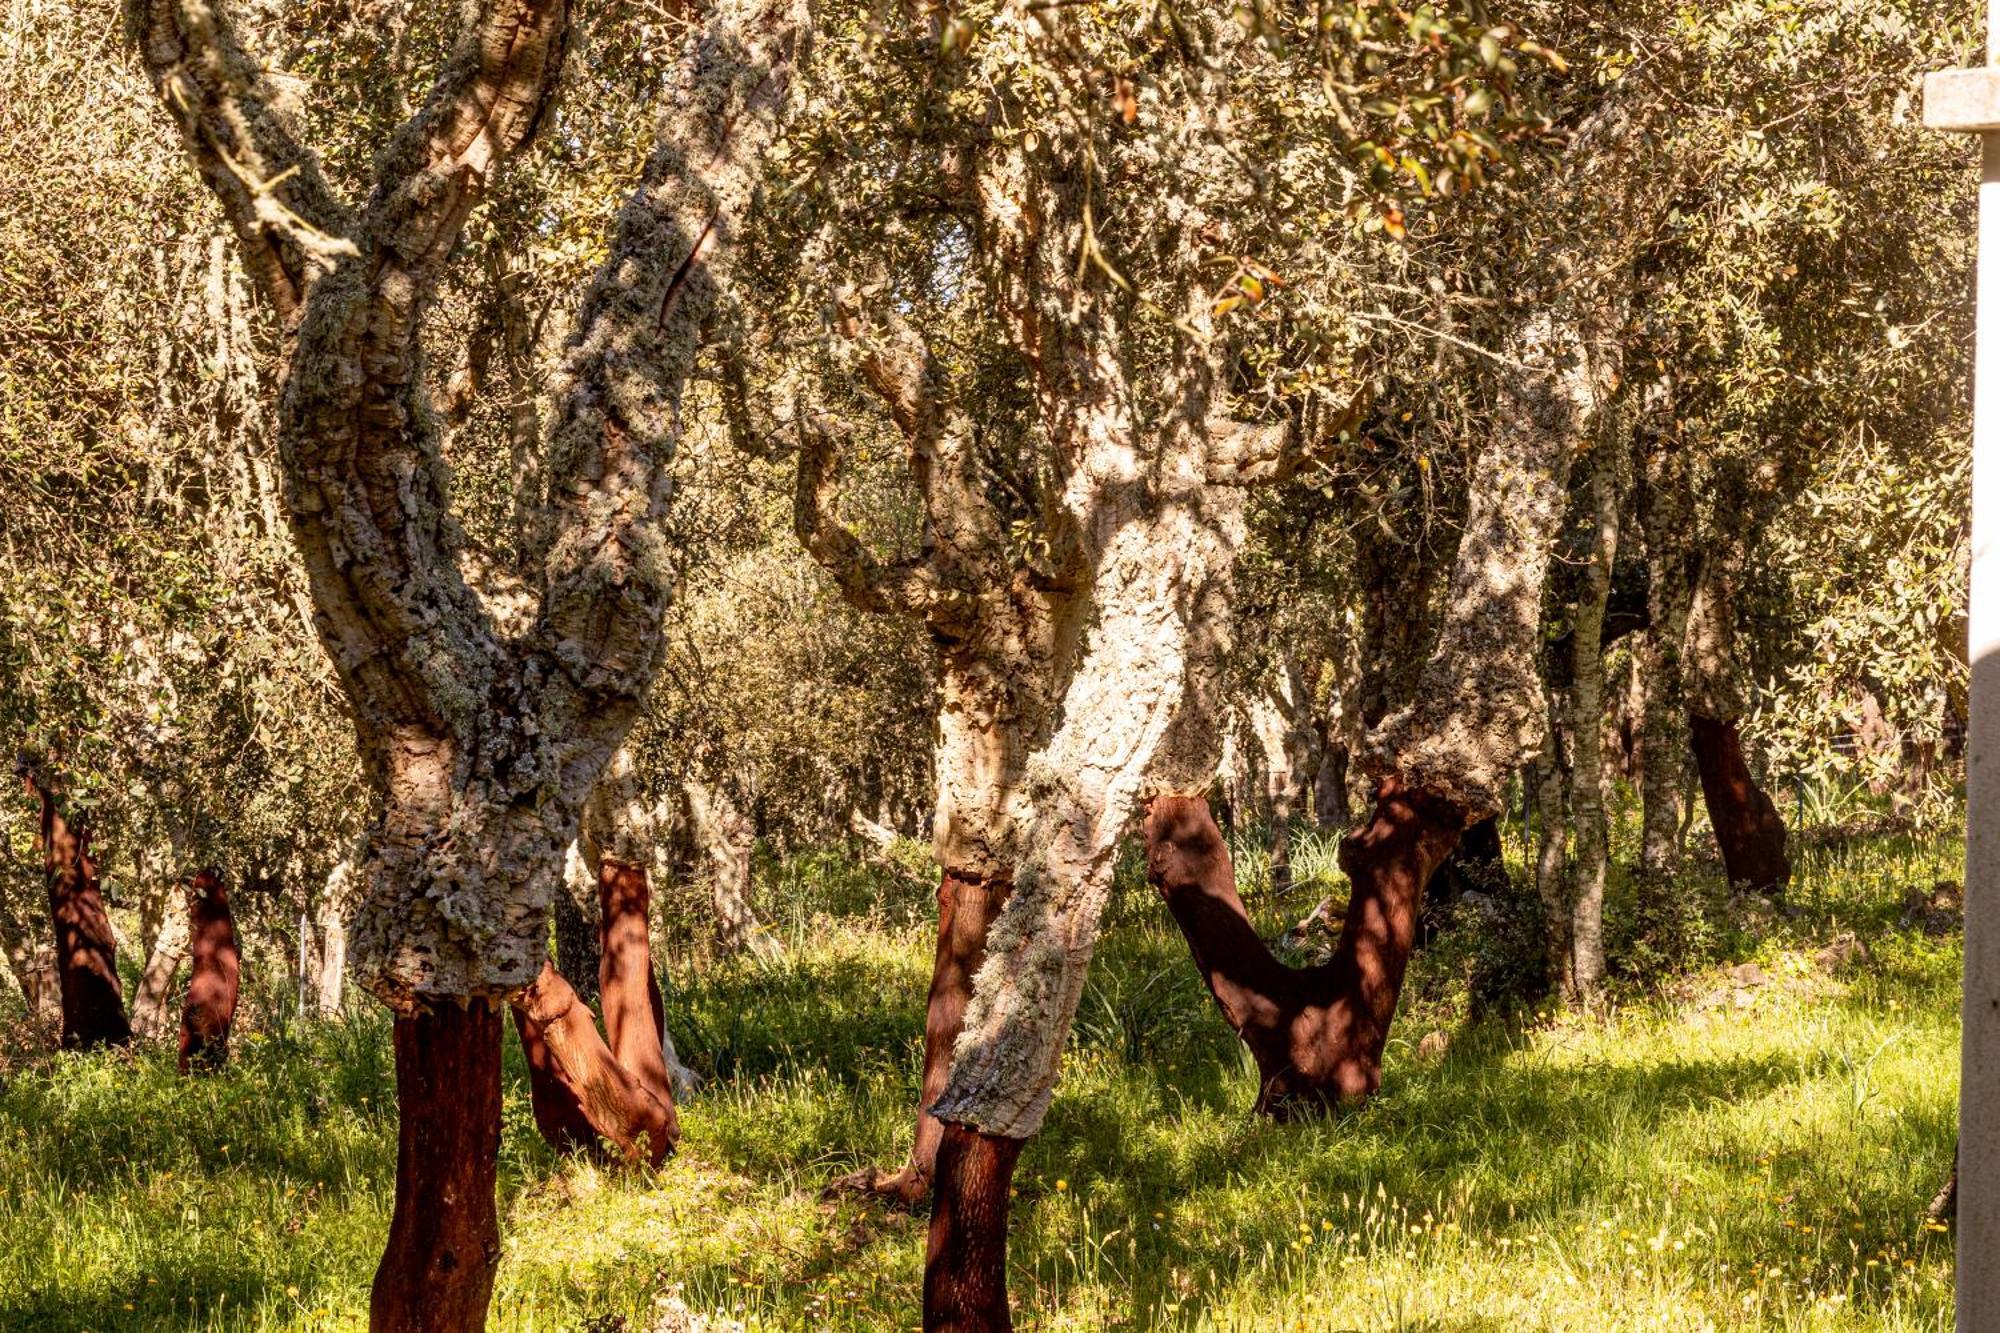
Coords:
pixel 965 1260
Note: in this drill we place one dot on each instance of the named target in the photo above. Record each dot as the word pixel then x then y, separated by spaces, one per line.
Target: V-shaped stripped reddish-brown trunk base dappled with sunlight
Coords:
pixel 1317 1034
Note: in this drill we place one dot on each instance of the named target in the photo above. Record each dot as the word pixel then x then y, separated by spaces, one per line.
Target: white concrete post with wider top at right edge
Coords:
pixel 1971 101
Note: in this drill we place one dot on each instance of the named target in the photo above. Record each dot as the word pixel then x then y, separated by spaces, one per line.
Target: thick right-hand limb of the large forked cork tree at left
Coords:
pixel 609 573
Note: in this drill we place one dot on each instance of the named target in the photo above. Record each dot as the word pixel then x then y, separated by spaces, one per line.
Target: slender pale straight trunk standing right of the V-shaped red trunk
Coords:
pixel 1587 728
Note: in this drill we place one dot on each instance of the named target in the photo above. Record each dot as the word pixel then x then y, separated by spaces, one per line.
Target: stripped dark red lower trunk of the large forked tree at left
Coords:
pixel 437 1274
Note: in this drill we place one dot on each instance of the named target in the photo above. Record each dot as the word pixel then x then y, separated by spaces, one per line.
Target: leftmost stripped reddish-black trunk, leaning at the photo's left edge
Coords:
pixel 87 952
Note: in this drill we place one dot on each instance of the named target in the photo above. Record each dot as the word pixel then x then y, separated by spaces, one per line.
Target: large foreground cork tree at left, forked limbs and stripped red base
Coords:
pixel 487 702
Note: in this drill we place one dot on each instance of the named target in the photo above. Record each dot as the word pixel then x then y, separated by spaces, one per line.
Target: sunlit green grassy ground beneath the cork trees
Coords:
pixel 1705 1156
